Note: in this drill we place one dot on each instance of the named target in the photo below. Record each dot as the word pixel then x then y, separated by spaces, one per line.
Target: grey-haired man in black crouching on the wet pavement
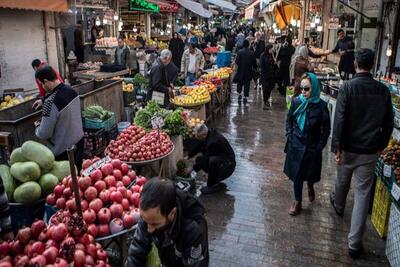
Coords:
pixel 217 159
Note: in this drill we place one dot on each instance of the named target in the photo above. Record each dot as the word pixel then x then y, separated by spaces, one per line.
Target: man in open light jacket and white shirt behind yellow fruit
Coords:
pixel 192 63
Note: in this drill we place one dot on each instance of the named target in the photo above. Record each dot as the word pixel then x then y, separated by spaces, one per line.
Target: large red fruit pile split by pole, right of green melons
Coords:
pixel 108 206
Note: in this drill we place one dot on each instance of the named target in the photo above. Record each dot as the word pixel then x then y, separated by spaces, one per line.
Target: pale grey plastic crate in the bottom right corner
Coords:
pixel 393 237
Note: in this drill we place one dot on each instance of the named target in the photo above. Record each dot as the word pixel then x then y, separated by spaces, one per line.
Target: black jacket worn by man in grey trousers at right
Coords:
pixel 364 116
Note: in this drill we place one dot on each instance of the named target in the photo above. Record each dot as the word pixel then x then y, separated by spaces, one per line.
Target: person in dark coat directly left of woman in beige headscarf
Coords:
pixel 284 58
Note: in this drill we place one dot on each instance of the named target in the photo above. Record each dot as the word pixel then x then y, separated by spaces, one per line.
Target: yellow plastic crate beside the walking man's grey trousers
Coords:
pixel 381 209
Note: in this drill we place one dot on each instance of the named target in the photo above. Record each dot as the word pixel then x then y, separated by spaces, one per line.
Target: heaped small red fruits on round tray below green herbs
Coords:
pixel 135 145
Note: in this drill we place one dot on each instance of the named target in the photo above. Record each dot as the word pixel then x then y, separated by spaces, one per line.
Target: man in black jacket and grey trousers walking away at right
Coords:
pixel 362 128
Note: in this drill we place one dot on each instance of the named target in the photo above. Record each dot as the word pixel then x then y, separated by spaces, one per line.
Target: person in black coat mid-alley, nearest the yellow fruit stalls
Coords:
pixel 246 65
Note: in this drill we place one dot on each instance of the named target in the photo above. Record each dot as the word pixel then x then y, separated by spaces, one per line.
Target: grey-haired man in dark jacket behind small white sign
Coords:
pixel 162 77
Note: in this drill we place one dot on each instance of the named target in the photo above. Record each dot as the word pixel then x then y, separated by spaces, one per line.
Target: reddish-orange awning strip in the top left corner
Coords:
pixel 41 5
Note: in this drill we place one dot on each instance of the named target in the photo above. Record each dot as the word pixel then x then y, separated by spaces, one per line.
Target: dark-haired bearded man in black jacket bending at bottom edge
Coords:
pixel 174 220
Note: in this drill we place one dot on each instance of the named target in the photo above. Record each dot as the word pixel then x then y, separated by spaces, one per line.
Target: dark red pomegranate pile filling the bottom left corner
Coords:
pixel 55 245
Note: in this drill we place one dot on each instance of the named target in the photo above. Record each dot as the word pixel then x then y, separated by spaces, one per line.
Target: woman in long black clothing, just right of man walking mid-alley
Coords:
pixel 268 73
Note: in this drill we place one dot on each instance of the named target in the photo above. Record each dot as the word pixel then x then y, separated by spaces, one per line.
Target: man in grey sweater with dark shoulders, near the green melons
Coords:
pixel 61 123
